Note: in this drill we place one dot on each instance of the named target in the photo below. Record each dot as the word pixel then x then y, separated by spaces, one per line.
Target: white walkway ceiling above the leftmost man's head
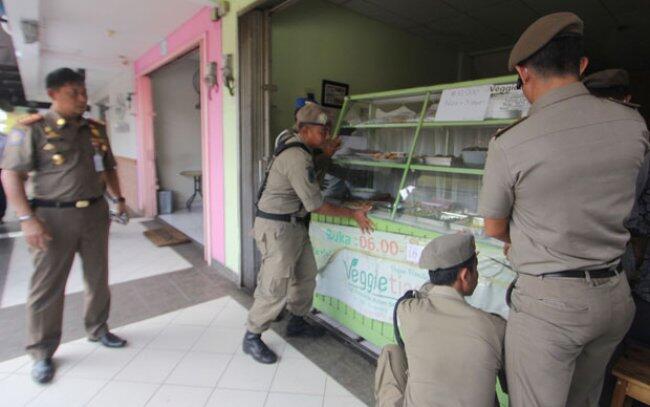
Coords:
pixel 100 36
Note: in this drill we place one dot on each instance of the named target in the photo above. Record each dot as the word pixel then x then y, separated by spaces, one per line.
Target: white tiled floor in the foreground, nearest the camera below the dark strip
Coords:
pixel 190 357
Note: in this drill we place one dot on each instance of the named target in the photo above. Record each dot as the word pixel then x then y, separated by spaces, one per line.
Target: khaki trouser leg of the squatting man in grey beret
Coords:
pixel 391 377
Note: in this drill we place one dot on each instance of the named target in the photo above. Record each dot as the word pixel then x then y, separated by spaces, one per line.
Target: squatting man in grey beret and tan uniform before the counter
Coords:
pixel 452 351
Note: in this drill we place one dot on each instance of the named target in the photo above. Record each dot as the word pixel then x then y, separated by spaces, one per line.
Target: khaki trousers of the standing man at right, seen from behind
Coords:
pixel 561 333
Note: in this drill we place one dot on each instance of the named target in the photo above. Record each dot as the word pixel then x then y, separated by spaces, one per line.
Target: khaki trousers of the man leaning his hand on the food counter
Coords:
pixel 287 275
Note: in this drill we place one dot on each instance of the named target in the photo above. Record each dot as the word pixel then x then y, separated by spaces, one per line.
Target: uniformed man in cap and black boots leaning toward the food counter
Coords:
pixel 289 193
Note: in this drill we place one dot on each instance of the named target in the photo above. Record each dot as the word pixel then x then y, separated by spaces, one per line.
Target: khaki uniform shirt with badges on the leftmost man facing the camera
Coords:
pixel 32 148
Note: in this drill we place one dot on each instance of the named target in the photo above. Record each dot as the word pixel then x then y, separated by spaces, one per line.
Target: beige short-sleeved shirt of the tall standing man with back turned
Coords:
pixel 565 178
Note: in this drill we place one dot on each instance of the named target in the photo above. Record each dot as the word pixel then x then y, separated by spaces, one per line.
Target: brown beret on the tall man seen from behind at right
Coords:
pixel 541 32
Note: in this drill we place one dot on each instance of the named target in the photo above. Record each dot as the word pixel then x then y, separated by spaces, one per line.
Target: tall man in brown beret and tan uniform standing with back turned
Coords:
pixel 558 185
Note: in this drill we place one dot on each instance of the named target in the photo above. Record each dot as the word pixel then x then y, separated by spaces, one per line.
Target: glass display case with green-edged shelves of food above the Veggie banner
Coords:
pixel 413 167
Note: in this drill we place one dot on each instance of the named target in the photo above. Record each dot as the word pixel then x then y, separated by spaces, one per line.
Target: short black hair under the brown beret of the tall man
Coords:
pixel 561 56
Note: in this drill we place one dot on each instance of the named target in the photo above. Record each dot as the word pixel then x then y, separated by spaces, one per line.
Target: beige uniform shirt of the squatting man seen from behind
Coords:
pixel 454 350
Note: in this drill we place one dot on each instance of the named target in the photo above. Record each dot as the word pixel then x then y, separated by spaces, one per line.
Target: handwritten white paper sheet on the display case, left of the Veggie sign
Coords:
pixel 463 104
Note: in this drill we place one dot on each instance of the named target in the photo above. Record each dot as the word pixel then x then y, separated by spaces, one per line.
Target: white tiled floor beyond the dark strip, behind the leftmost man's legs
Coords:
pixel 131 257
